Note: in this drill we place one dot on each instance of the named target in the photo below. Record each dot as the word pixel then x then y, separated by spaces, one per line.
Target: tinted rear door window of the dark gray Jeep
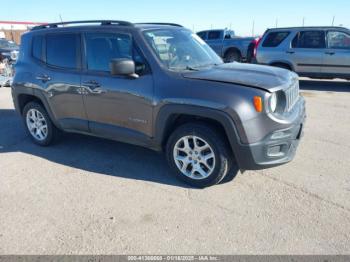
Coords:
pixel 61 50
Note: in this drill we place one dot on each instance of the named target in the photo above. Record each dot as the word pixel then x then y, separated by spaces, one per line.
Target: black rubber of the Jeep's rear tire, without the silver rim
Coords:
pixel 52 131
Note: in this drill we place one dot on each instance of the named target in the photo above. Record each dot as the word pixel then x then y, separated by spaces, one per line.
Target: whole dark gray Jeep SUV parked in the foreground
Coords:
pixel 159 86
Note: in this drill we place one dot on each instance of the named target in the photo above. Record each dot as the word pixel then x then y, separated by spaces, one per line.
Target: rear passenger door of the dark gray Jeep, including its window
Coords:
pixel 59 59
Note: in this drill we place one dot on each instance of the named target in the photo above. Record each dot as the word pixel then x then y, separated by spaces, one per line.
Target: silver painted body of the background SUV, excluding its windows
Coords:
pixel 314 62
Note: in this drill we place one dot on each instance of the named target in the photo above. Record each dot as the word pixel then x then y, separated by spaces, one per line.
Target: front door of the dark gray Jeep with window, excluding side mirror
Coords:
pixel 117 107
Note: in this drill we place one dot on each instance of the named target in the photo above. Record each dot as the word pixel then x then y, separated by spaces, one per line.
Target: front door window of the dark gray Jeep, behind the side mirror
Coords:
pixel 101 48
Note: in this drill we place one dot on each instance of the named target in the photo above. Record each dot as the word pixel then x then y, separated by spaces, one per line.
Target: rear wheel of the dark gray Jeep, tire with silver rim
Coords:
pixel 34 110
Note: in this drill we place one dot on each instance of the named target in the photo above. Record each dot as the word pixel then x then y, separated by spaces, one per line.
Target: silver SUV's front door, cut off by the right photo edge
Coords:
pixel 337 55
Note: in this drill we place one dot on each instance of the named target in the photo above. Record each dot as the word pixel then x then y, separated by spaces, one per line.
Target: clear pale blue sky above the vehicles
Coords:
pixel 244 17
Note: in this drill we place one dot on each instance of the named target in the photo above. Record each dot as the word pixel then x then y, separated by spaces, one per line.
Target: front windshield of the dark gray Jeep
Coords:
pixel 181 49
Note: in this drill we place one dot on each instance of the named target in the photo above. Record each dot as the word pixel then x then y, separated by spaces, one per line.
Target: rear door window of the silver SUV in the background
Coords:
pixel 309 39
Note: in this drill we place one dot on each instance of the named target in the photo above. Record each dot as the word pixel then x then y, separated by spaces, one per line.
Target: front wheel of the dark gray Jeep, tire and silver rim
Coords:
pixel 215 168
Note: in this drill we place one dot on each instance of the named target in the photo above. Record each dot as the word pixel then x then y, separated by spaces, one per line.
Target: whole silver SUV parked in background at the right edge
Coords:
pixel 320 52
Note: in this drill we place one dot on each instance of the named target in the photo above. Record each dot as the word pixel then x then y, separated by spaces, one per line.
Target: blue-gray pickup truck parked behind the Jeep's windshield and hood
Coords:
pixel 228 46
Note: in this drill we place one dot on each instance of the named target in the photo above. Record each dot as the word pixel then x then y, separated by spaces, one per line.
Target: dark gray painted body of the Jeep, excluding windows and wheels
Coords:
pixel 137 110
